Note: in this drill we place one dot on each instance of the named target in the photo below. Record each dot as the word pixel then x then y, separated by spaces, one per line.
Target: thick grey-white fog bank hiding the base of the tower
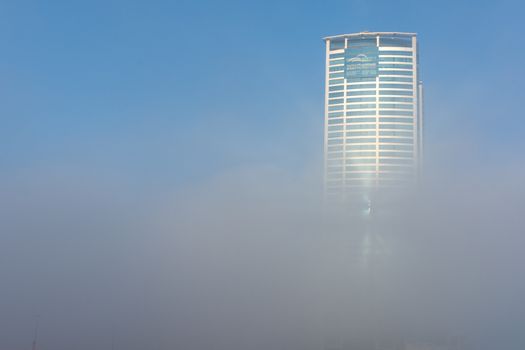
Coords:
pixel 251 259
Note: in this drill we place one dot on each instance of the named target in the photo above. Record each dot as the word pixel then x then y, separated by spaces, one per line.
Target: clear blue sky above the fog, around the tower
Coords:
pixel 171 92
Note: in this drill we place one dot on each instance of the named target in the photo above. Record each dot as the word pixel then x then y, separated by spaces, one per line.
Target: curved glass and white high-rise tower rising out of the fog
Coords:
pixel 373 112
